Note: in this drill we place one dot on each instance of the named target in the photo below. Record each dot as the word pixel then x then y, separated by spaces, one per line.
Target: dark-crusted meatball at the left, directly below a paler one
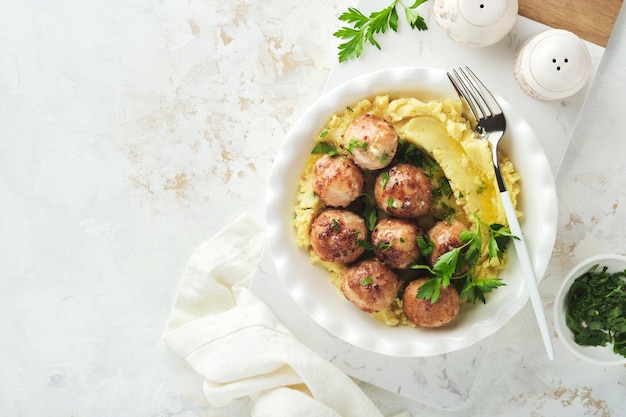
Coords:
pixel 335 235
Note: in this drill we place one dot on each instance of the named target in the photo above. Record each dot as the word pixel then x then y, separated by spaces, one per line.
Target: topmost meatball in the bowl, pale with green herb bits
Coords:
pixel 372 141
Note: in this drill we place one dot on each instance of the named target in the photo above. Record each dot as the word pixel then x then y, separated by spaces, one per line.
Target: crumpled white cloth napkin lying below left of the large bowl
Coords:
pixel 230 337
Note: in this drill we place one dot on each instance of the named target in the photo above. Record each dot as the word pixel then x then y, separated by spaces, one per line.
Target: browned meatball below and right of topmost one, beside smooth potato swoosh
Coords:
pixel 403 191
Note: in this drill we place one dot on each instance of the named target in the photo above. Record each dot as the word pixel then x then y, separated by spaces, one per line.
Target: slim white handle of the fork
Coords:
pixel 527 269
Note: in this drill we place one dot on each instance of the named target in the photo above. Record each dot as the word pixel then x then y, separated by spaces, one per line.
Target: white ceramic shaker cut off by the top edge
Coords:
pixel 476 23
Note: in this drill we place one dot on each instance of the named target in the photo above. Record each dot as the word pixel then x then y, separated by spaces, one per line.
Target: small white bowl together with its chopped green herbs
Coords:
pixel 590 310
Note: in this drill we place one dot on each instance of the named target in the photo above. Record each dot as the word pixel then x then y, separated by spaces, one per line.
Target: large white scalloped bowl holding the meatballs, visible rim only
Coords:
pixel 310 286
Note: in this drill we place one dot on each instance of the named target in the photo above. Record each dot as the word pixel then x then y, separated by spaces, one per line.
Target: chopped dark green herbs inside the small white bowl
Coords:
pixel 596 309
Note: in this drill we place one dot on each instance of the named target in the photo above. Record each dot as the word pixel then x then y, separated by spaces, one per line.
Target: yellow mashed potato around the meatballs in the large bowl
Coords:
pixel 439 130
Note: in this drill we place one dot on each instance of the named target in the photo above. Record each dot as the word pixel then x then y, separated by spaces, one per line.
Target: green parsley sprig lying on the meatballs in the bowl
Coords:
pixel 460 263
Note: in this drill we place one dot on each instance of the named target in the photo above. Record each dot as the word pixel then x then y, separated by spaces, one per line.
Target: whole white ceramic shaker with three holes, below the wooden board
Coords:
pixel 552 65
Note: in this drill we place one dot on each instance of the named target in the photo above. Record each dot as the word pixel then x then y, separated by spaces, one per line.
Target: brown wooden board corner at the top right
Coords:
pixel 592 21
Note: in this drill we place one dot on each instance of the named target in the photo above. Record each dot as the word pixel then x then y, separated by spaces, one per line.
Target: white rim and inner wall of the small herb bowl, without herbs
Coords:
pixel 601 355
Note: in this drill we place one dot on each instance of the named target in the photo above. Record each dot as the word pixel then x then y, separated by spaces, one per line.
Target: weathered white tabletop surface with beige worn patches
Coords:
pixel 132 131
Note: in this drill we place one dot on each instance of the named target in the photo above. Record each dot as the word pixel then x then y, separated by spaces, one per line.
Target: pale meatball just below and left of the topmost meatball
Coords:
pixel 337 180
